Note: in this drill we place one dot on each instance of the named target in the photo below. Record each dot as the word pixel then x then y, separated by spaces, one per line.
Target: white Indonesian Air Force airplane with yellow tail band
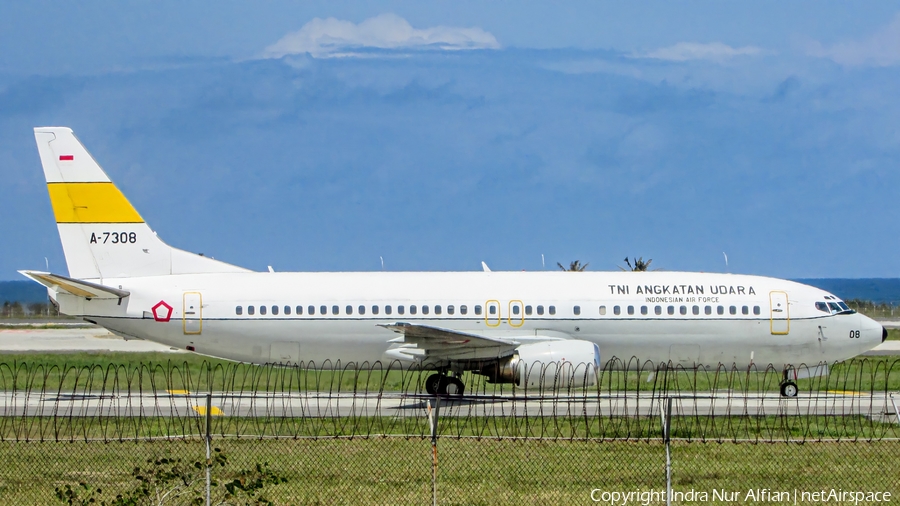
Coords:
pixel 502 325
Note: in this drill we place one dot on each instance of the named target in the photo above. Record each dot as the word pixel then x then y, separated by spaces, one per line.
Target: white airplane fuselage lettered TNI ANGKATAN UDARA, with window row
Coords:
pixel 683 318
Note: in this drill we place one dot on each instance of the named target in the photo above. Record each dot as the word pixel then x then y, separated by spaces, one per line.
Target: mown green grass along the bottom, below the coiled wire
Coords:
pixel 398 470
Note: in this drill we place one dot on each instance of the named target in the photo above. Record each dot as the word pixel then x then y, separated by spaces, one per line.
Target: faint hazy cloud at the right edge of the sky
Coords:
pixel 881 49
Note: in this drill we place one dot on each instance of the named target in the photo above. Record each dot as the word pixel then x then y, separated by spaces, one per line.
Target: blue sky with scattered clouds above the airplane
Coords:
pixel 325 135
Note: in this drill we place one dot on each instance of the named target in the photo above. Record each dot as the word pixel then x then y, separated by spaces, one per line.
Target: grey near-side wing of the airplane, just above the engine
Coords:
pixel 427 343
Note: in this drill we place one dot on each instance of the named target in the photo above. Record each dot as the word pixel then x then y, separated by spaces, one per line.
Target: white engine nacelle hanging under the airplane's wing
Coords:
pixel 548 364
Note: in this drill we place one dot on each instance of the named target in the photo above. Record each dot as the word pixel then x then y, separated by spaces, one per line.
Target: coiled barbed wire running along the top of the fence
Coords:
pixel 620 401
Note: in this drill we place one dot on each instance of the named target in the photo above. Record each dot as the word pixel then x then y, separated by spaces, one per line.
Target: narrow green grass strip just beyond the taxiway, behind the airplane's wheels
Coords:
pixel 159 372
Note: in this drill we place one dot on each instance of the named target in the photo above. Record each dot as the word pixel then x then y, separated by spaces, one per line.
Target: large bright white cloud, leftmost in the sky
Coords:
pixel 321 37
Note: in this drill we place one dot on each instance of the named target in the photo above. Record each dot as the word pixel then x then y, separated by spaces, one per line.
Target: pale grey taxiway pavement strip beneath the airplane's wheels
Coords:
pixel 323 405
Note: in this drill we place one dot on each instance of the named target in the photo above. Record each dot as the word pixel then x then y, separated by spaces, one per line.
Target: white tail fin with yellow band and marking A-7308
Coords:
pixel 102 234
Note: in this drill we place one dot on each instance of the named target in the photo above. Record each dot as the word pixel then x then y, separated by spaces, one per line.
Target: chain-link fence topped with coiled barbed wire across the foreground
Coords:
pixel 332 434
